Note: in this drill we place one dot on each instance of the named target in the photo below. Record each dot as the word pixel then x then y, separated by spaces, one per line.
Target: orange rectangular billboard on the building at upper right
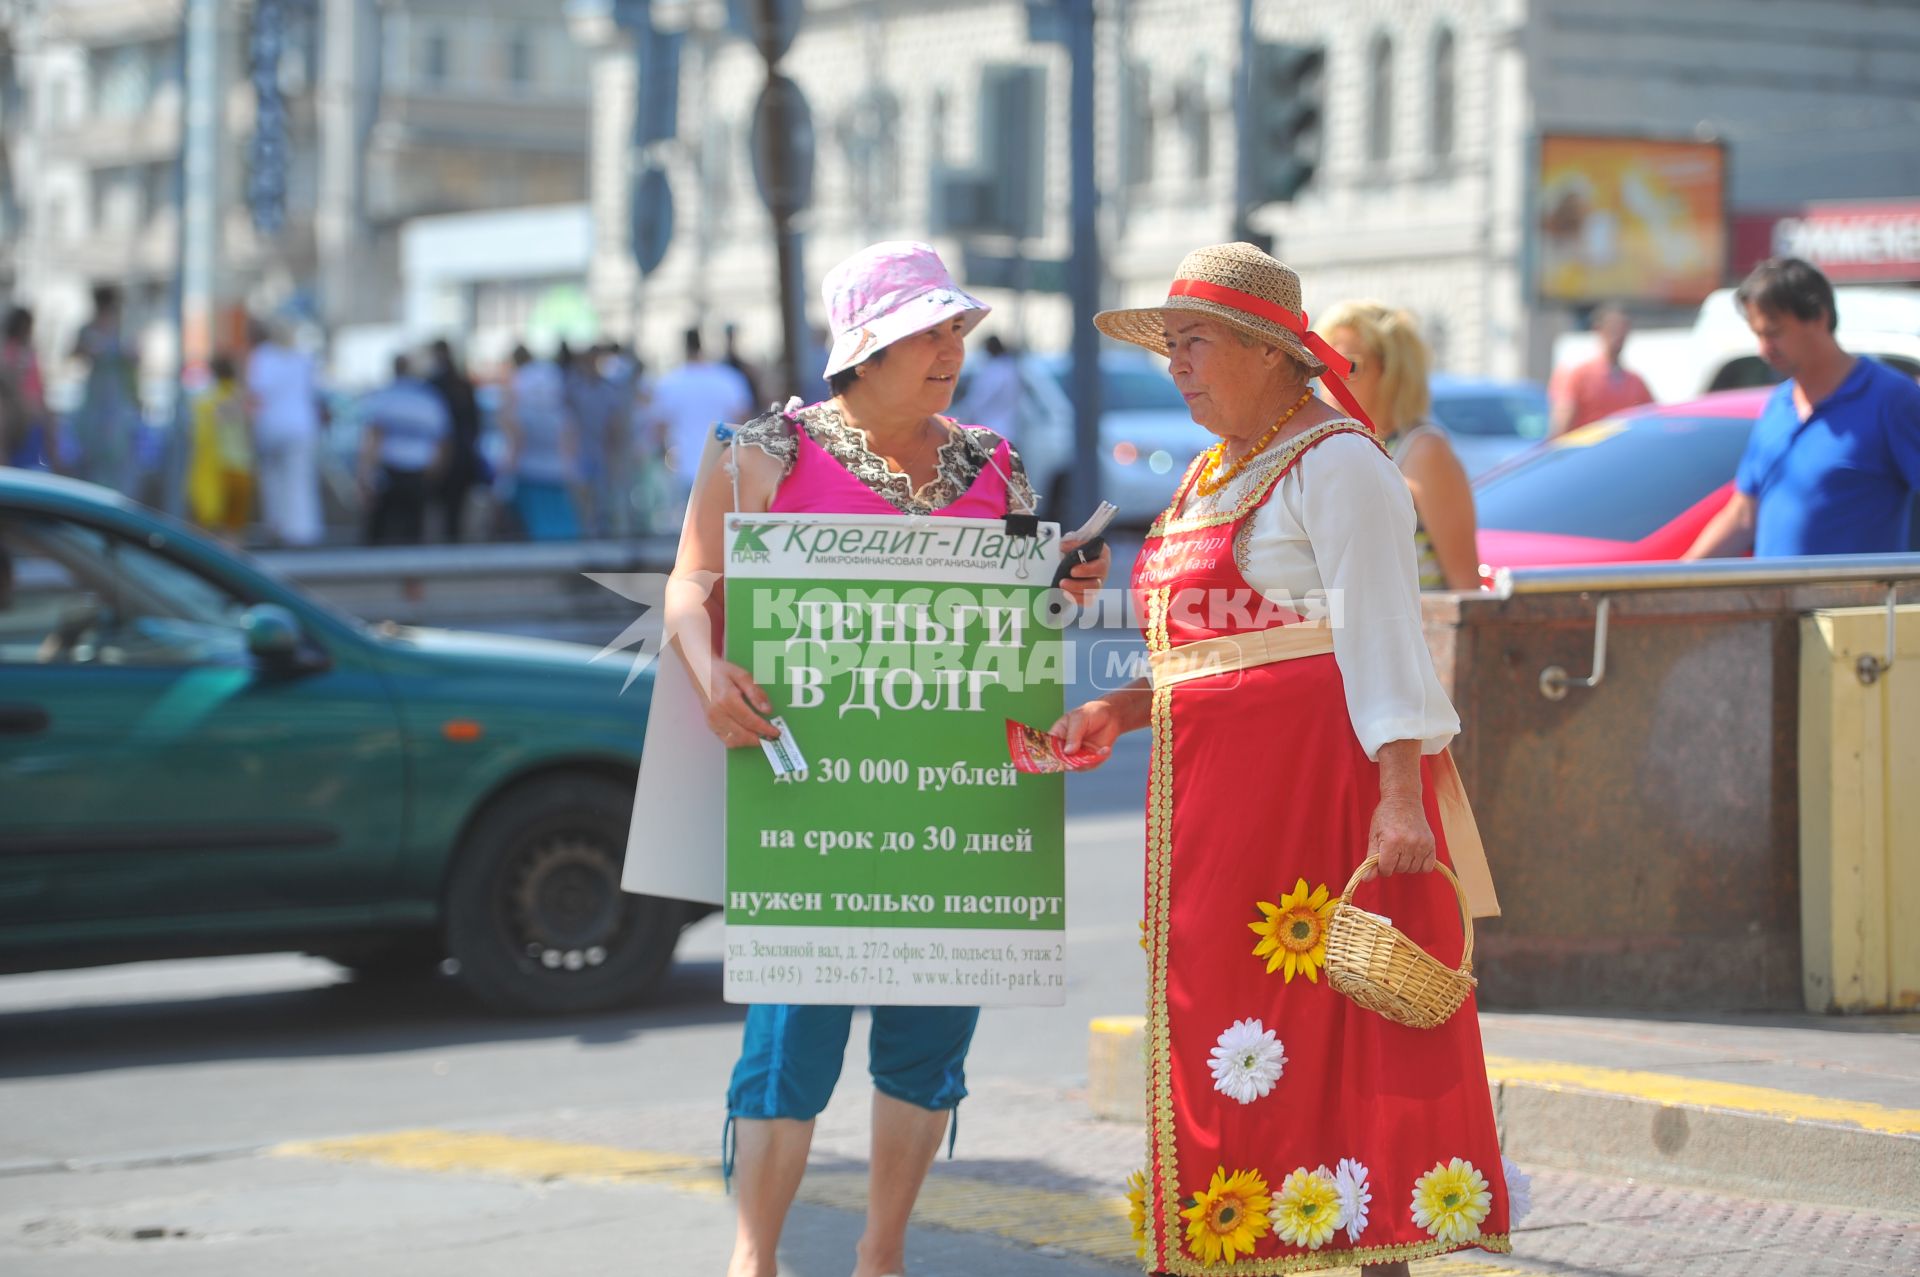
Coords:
pixel 1631 220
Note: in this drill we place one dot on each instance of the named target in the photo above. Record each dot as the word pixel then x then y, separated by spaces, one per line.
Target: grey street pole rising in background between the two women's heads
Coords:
pixel 1084 272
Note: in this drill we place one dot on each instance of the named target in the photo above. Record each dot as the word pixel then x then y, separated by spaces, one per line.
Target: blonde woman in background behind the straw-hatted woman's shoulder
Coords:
pixel 1391 366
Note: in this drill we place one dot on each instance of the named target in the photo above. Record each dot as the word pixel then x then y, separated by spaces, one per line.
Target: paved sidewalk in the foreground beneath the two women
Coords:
pixel 1032 1193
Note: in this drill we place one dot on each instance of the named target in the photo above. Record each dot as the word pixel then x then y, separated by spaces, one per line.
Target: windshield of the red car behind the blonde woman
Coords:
pixel 1616 481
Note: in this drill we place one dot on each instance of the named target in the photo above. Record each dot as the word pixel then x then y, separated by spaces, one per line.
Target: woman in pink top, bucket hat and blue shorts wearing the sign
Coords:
pixel 878 446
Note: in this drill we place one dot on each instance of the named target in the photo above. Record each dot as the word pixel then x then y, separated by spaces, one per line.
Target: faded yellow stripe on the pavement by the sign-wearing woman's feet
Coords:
pixel 1078 1222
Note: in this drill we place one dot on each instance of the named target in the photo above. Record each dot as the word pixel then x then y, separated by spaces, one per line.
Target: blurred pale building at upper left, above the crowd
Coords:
pixel 396 110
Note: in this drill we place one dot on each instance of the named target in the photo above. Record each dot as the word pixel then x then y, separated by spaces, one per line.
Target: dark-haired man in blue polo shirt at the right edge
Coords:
pixel 1835 460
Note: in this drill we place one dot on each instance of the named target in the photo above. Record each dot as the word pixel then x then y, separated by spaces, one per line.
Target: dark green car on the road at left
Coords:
pixel 201 759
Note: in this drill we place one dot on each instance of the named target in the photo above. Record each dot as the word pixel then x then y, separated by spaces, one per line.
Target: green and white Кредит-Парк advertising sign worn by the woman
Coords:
pixel 909 863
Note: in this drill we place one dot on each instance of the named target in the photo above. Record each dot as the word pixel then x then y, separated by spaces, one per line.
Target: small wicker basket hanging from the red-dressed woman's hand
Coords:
pixel 1376 965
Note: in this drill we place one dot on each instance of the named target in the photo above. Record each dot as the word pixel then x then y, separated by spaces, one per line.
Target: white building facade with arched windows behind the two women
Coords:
pixel 1426 193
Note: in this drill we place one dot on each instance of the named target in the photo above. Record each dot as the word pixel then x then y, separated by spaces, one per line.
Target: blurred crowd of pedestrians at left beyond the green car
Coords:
pixel 565 445
